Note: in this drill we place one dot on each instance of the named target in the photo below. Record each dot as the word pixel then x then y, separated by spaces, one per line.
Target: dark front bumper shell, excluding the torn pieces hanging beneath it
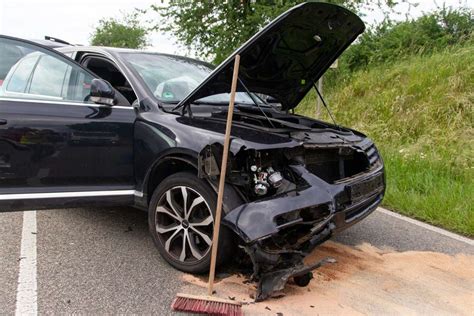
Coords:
pixel 342 204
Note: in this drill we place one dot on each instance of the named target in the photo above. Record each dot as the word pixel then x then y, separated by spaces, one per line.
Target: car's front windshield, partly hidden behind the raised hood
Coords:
pixel 172 78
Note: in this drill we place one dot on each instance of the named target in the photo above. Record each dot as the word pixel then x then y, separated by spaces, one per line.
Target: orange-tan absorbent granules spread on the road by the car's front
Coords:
pixel 365 280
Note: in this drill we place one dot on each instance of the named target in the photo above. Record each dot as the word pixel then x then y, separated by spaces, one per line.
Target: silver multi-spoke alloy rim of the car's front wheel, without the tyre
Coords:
pixel 184 224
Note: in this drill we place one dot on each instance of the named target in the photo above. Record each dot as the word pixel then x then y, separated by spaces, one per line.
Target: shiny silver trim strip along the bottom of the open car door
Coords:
pixel 50 195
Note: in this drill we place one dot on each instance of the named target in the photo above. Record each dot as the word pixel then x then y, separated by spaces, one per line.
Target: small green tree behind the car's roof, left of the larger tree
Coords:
pixel 125 32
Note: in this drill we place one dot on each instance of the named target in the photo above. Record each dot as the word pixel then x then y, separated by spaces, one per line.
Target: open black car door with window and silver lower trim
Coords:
pixel 57 148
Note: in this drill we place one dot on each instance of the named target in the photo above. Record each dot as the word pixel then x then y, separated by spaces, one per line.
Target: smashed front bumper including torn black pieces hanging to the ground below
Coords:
pixel 280 231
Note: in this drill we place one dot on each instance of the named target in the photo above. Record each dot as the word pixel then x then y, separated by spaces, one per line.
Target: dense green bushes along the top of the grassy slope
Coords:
pixel 391 41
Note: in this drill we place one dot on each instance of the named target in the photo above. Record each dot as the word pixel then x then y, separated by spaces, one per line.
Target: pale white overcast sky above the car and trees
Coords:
pixel 74 21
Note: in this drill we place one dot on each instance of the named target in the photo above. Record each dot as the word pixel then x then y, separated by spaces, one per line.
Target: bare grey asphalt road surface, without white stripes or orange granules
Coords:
pixel 103 260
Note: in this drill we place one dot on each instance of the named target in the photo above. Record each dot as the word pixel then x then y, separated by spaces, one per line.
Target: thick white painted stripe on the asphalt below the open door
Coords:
pixel 26 293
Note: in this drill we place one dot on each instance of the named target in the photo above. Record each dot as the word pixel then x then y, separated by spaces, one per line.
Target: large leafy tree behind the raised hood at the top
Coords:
pixel 214 29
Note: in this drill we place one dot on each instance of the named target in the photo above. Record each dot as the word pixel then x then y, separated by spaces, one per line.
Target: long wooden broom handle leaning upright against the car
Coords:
pixel 220 194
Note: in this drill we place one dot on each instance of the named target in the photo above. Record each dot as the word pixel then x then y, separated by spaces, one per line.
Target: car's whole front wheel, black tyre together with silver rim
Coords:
pixel 168 227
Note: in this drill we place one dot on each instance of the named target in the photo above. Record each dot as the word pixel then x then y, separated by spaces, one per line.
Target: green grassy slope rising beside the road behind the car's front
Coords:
pixel 419 112
